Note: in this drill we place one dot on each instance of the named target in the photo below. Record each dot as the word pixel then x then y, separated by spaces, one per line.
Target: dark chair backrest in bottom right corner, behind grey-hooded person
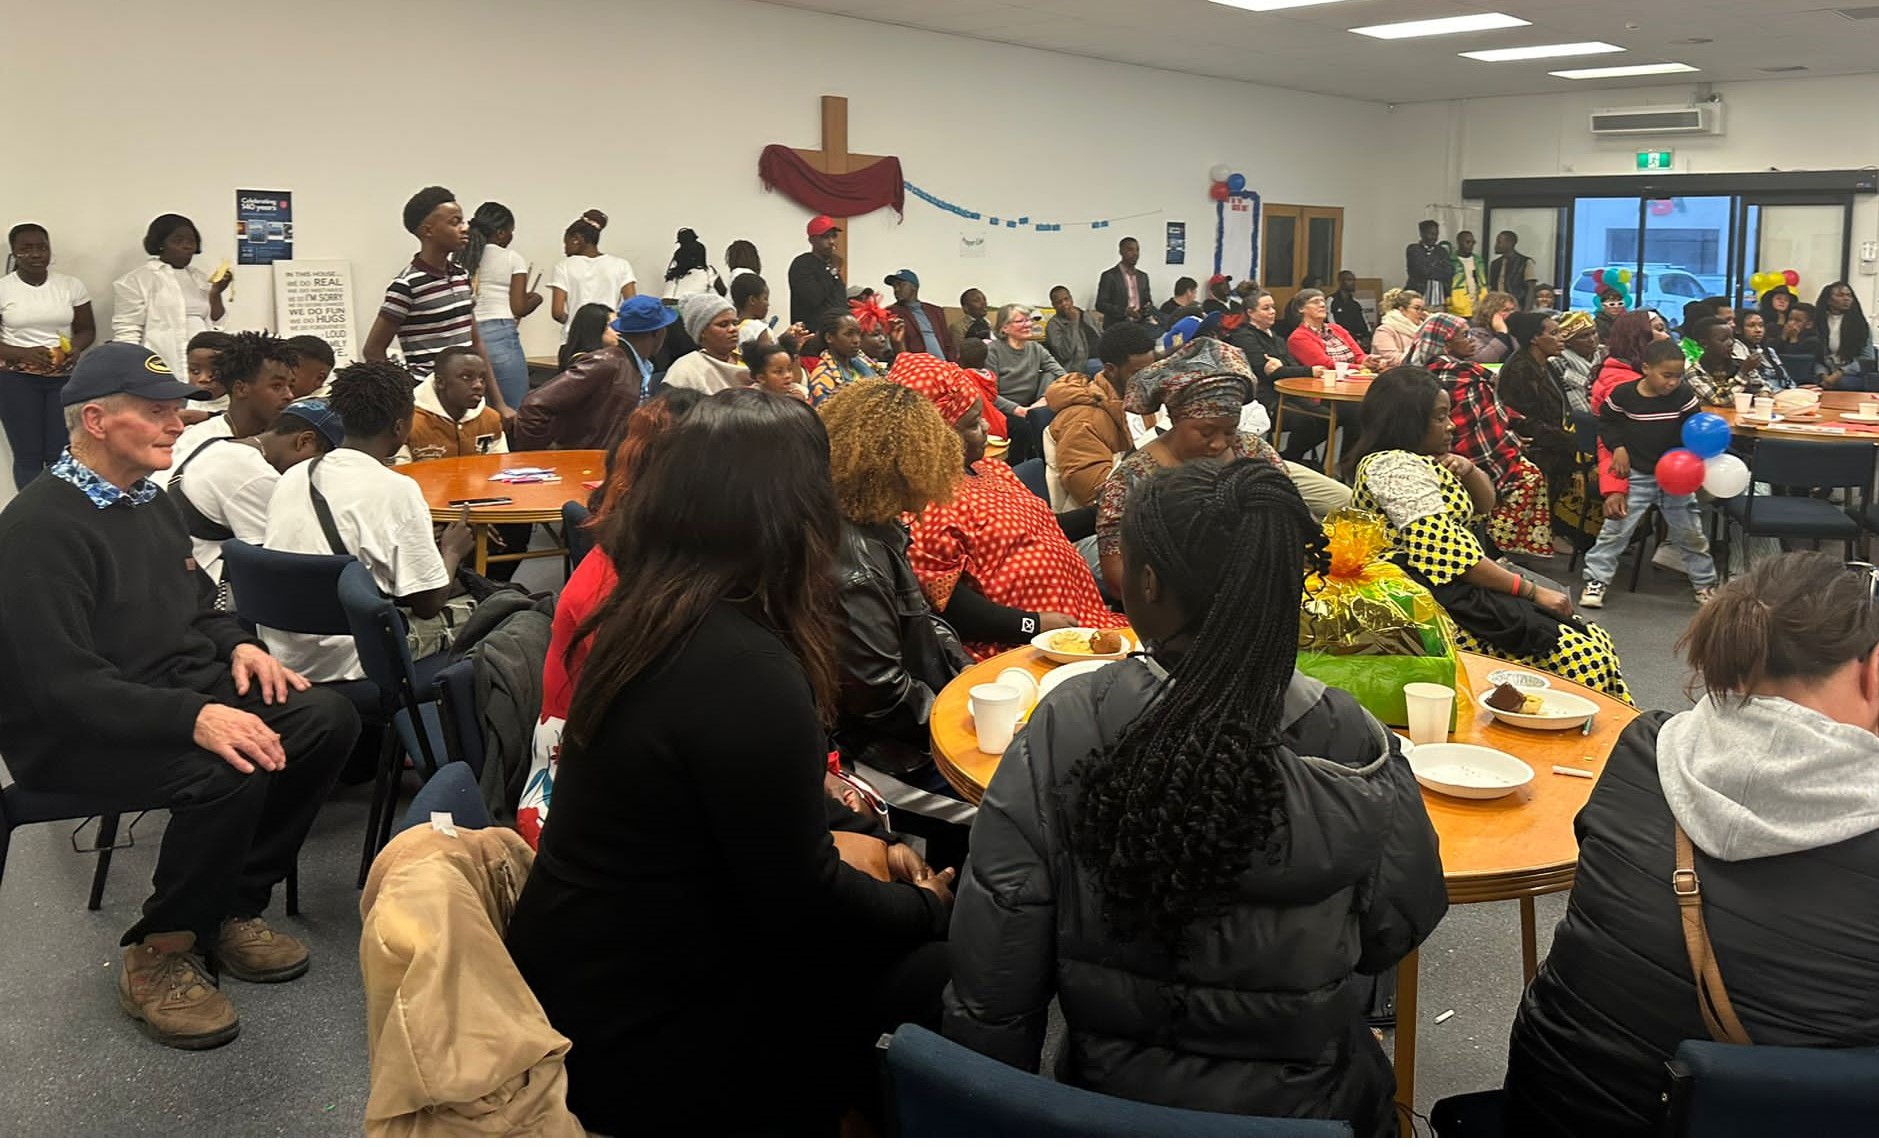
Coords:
pixel 1724 1090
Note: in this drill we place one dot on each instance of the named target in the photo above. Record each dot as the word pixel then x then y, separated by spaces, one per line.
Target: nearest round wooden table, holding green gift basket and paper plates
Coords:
pixel 1514 849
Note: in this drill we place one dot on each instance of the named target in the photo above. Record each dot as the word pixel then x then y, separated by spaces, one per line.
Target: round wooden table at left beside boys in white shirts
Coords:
pixel 448 480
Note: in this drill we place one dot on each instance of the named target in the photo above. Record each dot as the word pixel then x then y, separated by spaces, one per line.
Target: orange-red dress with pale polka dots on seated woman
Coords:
pixel 1008 542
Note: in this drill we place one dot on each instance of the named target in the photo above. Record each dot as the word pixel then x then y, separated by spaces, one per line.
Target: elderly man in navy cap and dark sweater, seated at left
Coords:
pixel 121 682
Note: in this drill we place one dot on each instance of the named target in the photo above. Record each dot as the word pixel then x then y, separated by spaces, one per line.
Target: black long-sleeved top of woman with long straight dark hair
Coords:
pixel 689 907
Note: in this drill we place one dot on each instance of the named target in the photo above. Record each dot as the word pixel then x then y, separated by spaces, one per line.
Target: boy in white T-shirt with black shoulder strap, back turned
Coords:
pixel 369 512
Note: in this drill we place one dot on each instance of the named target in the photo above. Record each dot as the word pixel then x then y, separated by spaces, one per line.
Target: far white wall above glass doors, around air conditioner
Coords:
pixel 1794 125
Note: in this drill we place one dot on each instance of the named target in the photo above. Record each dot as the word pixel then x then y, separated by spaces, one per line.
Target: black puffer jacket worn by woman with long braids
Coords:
pixel 1266 1013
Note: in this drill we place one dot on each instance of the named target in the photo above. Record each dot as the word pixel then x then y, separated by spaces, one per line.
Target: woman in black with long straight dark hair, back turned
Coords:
pixel 689 896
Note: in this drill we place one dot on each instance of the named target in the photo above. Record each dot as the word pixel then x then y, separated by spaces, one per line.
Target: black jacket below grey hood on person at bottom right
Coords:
pixel 1795 937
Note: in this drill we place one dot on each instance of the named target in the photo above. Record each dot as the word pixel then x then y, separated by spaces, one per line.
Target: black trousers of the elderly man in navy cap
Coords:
pixel 232 836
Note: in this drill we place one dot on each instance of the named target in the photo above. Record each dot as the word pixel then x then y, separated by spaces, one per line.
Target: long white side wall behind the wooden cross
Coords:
pixel 651 112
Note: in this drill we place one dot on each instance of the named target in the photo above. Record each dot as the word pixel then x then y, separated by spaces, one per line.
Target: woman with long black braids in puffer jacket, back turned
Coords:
pixel 1200 851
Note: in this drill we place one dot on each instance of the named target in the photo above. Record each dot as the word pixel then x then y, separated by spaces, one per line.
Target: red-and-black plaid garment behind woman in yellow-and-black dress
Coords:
pixel 1485 437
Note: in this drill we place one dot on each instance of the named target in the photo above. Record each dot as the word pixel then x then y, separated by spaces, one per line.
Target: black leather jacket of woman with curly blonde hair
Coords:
pixel 895 653
